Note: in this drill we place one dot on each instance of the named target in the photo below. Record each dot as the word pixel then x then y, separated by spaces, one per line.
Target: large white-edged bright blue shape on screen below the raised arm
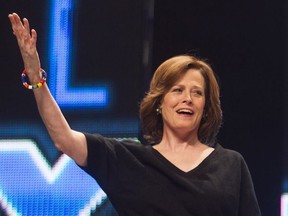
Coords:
pixel 30 186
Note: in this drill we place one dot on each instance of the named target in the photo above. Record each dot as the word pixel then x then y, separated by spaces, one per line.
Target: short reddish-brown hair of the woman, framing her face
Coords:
pixel 166 75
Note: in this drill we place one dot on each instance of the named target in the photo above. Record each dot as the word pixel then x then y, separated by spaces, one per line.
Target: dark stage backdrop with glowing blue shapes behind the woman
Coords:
pixel 99 57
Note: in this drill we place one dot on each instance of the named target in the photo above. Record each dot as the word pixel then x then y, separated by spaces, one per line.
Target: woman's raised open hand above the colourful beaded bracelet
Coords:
pixel 27 44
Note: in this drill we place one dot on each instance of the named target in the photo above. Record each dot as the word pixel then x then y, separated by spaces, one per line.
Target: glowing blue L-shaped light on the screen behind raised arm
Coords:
pixel 60 64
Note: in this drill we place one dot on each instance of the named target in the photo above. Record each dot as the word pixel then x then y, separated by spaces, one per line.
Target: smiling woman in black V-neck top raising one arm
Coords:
pixel 184 171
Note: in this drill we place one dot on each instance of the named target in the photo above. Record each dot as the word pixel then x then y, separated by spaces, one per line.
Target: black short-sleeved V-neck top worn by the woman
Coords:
pixel 140 181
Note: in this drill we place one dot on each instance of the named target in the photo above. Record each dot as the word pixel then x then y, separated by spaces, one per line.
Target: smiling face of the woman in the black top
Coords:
pixel 183 105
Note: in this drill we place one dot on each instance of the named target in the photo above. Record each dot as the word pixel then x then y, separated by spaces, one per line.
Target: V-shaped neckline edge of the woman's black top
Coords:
pixel 172 166
